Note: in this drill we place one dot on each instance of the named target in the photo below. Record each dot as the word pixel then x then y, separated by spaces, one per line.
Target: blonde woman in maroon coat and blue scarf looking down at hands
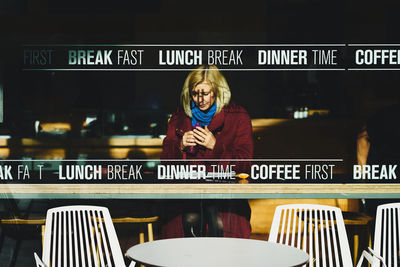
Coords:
pixel 209 126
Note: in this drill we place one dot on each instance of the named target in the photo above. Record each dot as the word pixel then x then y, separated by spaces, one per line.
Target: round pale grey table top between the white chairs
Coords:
pixel 216 251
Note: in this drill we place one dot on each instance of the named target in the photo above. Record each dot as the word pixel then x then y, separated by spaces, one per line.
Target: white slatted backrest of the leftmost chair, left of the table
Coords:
pixel 81 236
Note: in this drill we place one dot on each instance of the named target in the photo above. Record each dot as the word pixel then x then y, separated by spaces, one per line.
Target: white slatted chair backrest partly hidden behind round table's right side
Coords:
pixel 317 229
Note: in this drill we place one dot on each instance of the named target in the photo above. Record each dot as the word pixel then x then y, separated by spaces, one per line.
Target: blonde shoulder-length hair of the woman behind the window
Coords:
pixel 212 75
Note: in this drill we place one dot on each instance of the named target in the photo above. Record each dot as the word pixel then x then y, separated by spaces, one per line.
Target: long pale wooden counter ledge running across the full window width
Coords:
pixel 195 191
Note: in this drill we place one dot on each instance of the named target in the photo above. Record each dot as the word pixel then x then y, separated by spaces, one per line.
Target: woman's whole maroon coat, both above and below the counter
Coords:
pixel 233 132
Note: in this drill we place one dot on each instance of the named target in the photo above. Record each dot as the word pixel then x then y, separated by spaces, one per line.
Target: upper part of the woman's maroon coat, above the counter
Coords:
pixel 231 128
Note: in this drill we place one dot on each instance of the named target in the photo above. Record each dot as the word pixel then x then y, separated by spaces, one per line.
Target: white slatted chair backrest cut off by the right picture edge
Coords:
pixel 387 234
